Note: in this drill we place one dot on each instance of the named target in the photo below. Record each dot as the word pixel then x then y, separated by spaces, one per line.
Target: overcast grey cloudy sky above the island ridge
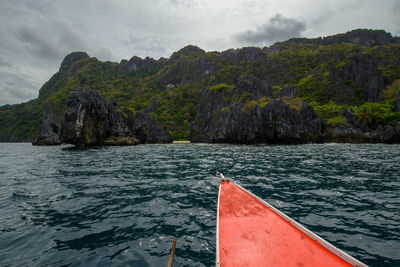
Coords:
pixel 35 35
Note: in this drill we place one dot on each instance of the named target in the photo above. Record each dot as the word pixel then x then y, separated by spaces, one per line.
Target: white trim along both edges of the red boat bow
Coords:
pixel 312 235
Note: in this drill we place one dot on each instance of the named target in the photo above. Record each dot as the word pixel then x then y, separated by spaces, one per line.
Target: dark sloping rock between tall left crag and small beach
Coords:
pixel 146 128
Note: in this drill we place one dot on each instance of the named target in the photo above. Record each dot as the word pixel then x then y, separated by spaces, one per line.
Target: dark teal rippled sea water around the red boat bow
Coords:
pixel 124 205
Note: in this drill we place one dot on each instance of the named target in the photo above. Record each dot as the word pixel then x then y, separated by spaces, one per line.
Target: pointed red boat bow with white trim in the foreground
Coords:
pixel 251 232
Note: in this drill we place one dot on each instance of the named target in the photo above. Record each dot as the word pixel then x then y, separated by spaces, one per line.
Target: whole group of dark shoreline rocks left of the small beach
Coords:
pixel 91 121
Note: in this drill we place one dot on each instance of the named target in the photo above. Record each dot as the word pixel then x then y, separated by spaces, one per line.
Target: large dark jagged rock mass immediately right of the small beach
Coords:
pixel 236 117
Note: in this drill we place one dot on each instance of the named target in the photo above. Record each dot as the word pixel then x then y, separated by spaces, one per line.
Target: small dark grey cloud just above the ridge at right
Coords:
pixel 278 28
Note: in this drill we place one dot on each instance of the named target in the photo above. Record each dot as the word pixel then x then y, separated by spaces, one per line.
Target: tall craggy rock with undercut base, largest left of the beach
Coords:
pixel 89 120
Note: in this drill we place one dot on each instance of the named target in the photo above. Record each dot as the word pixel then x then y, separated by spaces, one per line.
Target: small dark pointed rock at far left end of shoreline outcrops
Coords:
pixel 50 129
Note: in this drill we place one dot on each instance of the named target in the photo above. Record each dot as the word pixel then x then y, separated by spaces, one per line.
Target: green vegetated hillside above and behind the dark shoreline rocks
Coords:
pixel 331 74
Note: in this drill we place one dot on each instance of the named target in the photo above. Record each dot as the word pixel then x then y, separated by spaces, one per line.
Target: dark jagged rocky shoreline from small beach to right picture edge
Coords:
pixel 225 116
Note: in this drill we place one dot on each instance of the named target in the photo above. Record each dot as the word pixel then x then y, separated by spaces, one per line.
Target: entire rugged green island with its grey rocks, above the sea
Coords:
pixel 340 88
